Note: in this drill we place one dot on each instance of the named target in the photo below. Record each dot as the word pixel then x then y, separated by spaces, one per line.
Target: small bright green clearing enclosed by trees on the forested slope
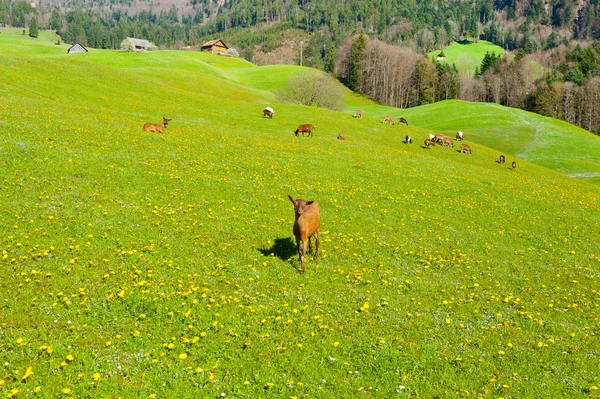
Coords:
pixel 467 55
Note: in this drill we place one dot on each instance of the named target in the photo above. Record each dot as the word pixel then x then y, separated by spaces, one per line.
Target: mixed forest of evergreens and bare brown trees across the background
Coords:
pixel 378 48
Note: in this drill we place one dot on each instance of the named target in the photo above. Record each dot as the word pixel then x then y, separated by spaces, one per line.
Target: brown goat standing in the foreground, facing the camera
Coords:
pixel 306 225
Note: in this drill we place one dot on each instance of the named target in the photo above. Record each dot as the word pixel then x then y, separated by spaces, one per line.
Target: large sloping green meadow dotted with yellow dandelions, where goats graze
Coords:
pixel 145 265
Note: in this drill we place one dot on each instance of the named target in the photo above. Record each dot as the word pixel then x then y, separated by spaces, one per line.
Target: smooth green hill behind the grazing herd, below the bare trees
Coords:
pixel 549 142
